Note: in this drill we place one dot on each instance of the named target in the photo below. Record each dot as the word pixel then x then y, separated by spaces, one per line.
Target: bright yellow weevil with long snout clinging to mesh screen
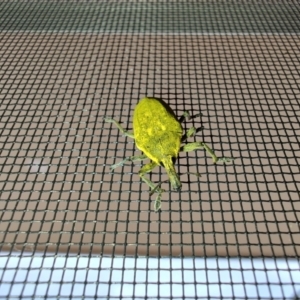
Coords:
pixel 159 135
